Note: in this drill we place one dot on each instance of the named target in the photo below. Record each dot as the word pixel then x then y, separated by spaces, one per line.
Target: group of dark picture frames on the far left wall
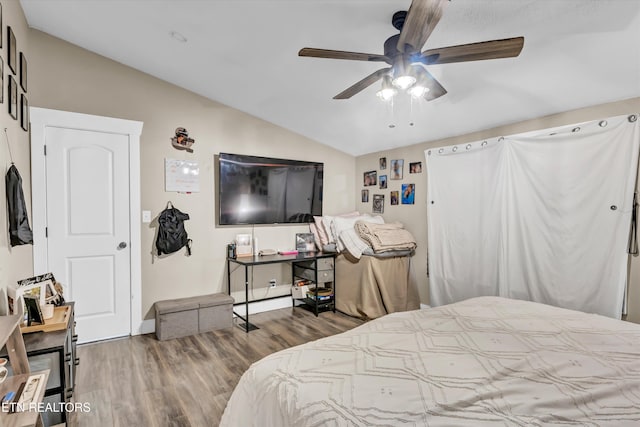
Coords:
pixel 16 78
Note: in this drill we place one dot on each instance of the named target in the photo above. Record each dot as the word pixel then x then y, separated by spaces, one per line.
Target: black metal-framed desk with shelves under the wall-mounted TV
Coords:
pixel 310 260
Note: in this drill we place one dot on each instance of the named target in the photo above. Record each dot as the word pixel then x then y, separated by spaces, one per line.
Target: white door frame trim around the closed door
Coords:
pixel 41 118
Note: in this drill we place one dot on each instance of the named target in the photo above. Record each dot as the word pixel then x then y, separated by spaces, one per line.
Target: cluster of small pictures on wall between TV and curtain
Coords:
pixel 401 193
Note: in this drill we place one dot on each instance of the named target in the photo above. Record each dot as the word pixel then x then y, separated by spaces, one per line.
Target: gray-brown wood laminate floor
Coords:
pixel 140 381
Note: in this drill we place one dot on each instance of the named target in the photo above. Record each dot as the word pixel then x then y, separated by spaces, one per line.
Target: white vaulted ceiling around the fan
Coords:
pixel 244 53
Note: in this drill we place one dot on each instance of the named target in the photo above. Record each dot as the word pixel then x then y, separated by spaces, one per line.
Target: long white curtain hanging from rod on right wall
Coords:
pixel 543 216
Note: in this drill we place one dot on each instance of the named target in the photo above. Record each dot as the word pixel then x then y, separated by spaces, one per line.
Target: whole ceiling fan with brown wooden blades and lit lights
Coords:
pixel 407 70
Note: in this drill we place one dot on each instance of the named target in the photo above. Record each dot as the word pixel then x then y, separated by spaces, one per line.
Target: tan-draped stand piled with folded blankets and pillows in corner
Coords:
pixel 372 266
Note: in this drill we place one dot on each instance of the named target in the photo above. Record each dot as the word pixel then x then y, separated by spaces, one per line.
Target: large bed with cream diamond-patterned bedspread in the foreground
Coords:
pixel 483 361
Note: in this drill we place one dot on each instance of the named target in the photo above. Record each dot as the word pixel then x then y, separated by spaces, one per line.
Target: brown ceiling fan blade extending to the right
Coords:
pixel 493 49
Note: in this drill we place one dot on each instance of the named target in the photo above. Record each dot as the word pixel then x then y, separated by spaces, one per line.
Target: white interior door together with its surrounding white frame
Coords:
pixel 86 212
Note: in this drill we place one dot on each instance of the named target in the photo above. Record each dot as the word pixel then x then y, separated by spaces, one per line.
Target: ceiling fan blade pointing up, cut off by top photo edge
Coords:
pixel 422 18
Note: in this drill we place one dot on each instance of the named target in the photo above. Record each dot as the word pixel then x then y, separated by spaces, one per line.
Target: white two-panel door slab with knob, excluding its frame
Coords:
pixel 88 226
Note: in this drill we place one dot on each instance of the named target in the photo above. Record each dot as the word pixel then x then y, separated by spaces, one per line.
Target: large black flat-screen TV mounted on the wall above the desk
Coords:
pixel 262 190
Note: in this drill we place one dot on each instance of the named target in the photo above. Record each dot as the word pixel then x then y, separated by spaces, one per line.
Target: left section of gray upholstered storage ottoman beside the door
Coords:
pixel 176 318
